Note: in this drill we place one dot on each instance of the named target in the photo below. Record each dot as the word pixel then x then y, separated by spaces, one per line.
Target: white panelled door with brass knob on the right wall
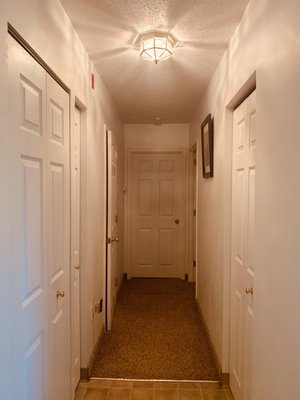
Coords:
pixel 242 264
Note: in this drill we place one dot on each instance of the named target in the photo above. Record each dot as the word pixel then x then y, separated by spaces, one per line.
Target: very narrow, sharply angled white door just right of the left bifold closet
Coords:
pixel 75 248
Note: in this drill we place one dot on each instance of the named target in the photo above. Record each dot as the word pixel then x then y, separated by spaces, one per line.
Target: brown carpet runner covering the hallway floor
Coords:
pixel 156 334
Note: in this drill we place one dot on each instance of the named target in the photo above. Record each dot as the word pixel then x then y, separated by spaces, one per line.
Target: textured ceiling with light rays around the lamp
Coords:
pixel 142 90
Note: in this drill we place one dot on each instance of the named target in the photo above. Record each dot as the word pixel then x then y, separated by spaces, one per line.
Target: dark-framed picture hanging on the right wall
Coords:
pixel 207 147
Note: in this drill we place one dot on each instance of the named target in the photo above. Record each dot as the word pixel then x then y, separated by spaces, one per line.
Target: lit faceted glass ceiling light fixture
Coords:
pixel 156 46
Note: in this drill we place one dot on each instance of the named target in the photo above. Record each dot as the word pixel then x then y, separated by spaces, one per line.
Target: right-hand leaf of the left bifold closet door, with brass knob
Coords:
pixel 58 275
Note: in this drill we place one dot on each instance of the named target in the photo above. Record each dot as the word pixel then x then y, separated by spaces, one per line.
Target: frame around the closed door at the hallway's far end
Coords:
pixel 185 210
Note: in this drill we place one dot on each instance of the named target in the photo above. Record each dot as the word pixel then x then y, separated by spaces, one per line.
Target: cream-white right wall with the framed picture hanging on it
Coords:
pixel 267 41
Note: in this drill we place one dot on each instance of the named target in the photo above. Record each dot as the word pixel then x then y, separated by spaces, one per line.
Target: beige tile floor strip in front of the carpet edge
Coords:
pixel 137 390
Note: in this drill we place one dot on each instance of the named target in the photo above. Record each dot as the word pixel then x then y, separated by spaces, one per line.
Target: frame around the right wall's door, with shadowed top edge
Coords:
pixel 241 94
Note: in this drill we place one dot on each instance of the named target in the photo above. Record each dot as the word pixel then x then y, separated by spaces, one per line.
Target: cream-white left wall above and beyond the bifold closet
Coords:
pixel 45 26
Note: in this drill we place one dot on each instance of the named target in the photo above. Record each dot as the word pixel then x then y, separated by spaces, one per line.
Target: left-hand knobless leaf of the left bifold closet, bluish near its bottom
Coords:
pixel 27 142
